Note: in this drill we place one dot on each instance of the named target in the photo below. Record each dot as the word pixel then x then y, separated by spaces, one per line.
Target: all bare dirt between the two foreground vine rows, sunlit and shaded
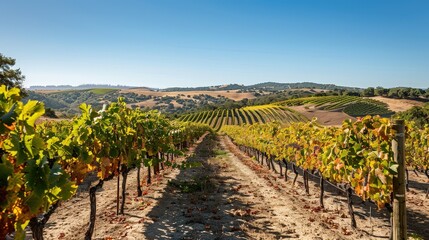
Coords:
pixel 229 196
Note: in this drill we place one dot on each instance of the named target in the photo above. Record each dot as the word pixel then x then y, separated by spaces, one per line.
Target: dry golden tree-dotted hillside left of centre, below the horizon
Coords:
pixel 66 102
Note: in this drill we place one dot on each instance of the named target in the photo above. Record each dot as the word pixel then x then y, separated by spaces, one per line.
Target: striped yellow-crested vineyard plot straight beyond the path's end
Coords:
pixel 246 115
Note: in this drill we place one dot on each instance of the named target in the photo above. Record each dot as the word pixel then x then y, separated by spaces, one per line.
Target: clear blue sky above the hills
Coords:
pixel 164 43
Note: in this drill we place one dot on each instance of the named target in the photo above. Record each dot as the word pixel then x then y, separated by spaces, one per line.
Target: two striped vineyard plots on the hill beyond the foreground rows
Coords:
pixel 279 112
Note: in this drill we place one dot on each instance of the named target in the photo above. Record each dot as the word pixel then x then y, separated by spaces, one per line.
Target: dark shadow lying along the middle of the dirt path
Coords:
pixel 201 204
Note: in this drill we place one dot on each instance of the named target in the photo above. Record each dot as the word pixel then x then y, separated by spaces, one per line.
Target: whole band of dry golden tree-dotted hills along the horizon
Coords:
pixel 177 101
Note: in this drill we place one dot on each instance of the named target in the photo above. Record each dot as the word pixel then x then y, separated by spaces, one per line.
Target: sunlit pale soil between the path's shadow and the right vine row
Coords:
pixel 300 211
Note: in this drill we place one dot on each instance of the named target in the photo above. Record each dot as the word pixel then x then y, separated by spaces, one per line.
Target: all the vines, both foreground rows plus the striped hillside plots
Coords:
pixel 42 164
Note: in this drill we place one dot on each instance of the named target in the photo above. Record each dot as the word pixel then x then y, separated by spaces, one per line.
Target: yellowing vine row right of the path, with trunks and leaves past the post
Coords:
pixel 358 157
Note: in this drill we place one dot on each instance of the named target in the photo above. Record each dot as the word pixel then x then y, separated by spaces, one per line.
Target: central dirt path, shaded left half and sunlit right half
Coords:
pixel 232 203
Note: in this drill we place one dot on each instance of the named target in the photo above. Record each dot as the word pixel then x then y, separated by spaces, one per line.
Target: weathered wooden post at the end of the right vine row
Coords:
pixel 399 216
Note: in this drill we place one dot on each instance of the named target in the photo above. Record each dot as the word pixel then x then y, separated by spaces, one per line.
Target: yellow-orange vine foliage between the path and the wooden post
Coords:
pixel 358 154
